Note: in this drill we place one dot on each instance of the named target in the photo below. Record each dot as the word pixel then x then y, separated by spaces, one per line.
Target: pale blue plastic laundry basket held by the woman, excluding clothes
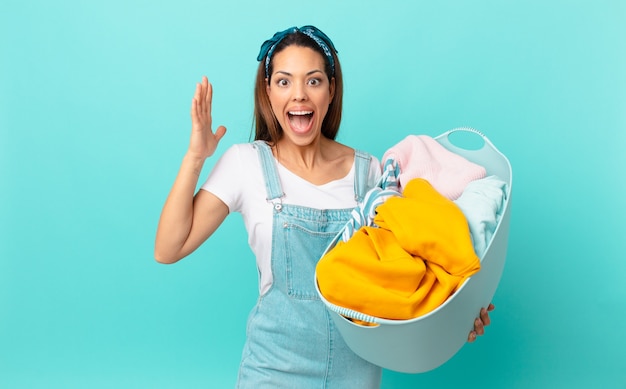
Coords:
pixel 426 342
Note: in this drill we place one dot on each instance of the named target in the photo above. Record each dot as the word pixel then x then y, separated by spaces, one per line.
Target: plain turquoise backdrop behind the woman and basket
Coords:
pixel 94 121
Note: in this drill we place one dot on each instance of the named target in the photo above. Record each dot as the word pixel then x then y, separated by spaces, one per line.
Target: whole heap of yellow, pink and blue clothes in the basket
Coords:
pixel 406 250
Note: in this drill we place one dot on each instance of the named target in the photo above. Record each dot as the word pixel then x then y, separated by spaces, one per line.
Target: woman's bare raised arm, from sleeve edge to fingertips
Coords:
pixel 187 220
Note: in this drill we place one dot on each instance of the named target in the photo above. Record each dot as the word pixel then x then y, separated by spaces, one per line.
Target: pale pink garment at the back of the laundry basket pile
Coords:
pixel 420 156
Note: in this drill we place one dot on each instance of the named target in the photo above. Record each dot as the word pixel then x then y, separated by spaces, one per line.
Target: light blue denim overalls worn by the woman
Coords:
pixel 292 342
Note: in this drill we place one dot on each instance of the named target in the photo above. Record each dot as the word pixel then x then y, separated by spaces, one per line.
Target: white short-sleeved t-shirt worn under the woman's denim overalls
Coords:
pixel 237 179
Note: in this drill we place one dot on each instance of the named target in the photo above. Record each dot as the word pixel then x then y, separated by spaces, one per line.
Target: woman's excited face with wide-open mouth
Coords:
pixel 300 93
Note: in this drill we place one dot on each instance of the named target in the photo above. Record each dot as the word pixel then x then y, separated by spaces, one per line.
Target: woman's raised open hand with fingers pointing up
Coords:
pixel 203 140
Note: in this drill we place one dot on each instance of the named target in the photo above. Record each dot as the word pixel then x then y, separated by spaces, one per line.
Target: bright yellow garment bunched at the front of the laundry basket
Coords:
pixel 420 254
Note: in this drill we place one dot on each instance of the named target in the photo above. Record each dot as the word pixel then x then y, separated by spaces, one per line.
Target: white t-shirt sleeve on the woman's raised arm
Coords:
pixel 226 178
